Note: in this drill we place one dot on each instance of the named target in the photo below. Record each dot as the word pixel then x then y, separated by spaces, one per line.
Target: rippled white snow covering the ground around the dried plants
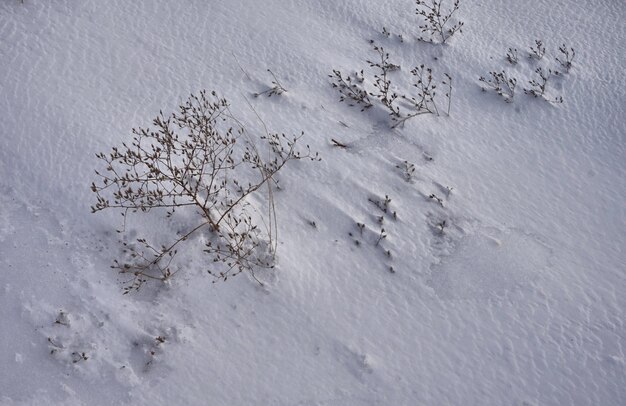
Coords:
pixel 520 300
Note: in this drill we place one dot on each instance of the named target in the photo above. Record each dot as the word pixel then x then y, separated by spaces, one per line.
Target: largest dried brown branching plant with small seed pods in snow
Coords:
pixel 202 160
